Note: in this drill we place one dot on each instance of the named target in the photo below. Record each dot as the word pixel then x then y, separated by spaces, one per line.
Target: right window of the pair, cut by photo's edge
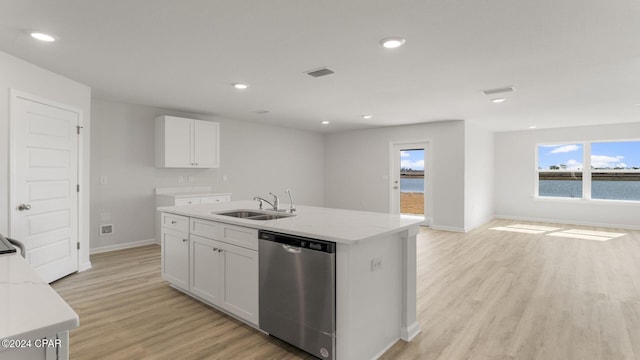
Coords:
pixel 615 170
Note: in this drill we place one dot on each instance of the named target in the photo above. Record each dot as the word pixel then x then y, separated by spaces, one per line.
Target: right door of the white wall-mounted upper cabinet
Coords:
pixel 205 144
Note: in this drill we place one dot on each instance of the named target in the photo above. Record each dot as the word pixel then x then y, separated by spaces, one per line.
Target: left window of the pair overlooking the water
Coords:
pixel 560 170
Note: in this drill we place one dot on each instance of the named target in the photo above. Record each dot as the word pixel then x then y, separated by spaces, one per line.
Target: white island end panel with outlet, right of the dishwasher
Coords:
pixel 369 298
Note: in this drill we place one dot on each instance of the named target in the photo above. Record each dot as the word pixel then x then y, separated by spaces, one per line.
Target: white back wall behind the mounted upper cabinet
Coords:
pixel 256 159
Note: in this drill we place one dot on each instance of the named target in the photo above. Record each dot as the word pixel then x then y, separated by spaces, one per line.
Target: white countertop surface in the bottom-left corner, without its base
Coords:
pixel 29 307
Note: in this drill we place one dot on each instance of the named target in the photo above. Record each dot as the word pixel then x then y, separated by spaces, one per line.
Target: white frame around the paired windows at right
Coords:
pixel 587 172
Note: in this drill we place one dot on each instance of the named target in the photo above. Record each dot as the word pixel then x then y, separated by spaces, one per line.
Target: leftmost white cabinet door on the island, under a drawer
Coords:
pixel 175 258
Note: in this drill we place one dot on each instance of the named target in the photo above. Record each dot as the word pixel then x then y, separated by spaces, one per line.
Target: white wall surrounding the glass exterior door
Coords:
pixel 357 169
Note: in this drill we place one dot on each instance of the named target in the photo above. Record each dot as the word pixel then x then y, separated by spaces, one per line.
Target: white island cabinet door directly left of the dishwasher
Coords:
pixel 239 291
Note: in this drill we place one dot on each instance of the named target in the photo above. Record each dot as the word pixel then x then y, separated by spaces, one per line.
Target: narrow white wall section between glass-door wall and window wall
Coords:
pixel 479 176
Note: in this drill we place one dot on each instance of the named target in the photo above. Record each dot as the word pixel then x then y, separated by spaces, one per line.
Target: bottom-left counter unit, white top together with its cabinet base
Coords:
pixel 34 320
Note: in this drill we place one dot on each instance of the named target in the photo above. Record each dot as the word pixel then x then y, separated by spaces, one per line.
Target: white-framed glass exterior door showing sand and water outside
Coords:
pixel 410 177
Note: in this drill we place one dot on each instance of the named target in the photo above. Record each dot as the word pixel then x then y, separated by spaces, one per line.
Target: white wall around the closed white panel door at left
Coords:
pixel 28 78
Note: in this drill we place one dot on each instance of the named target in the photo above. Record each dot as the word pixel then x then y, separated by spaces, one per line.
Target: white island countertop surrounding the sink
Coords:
pixel 336 225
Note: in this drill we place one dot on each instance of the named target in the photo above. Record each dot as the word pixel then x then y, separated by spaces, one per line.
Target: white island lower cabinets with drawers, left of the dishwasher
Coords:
pixel 219 269
